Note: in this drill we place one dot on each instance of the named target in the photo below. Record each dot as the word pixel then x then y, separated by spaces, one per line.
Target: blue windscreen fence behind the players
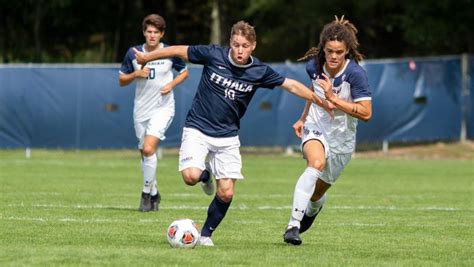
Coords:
pixel 83 106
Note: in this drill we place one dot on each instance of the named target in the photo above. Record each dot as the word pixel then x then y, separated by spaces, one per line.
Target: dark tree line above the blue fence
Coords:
pixel 73 31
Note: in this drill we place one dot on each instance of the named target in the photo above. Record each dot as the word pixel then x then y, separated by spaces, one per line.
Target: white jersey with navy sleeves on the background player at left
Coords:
pixel 148 97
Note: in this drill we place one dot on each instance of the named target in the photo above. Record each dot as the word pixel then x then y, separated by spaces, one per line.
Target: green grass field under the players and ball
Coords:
pixel 80 208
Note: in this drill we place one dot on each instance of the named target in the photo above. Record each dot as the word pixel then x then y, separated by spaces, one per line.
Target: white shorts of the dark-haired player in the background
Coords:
pixel 155 126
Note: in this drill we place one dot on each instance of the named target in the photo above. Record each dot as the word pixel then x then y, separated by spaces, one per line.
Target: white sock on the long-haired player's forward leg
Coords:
pixel 303 191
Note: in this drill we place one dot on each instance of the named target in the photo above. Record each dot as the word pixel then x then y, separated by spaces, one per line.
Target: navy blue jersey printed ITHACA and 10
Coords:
pixel 225 89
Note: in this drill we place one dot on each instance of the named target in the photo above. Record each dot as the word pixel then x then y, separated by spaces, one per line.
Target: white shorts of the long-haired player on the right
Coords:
pixel 335 163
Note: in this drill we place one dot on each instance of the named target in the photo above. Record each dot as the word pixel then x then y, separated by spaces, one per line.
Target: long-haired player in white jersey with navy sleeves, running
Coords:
pixel 328 140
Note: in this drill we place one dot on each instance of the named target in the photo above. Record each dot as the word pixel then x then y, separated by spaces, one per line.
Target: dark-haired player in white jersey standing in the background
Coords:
pixel 154 102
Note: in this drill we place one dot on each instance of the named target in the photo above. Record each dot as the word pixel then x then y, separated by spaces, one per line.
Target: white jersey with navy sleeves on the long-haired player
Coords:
pixel 350 84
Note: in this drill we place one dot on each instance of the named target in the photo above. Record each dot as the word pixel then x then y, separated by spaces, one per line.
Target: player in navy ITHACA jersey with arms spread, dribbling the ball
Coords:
pixel 229 80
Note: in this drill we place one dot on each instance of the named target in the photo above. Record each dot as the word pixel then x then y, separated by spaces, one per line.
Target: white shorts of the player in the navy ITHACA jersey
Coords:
pixel 223 154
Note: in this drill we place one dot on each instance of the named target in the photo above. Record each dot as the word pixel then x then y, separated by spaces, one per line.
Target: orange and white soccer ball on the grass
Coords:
pixel 183 233
